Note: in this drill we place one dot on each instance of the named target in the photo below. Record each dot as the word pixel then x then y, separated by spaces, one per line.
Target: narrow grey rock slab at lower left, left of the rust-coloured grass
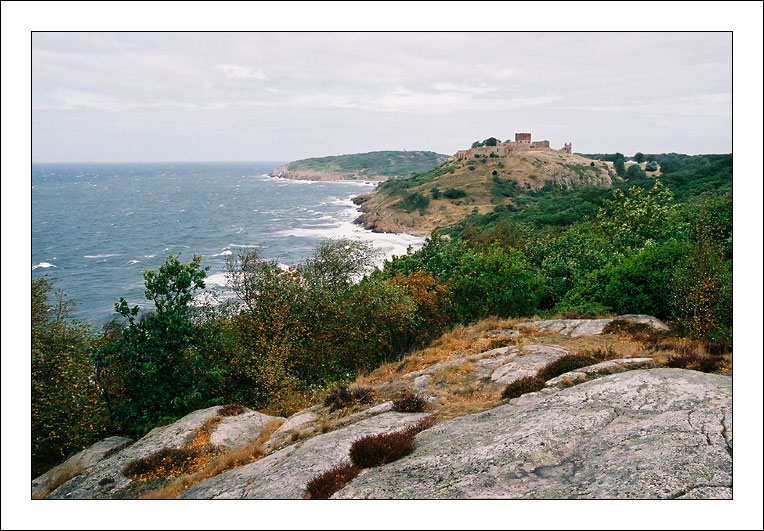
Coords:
pixel 106 476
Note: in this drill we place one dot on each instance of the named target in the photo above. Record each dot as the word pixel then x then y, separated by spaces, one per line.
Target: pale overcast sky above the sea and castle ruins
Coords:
pixel 286 96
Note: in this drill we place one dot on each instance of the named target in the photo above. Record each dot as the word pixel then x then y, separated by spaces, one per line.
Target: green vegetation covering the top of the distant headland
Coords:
pixel 375 163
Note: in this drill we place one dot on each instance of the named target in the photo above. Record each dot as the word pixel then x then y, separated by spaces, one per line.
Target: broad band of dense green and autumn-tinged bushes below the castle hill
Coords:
pixel 658 247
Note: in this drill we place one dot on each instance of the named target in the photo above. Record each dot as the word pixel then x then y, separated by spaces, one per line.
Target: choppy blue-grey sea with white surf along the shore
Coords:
pixel 96 227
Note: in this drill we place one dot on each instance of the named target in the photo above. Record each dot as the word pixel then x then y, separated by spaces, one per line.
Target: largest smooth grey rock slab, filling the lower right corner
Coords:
pixel 656 433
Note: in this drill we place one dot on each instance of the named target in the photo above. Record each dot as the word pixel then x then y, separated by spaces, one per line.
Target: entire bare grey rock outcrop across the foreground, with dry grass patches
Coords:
pixel 616 429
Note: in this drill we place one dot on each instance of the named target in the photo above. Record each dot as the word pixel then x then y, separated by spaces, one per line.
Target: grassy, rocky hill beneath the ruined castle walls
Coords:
pixel 480 184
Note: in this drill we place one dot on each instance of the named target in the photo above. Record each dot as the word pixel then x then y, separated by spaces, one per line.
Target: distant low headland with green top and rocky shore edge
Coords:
pixel 372 166
